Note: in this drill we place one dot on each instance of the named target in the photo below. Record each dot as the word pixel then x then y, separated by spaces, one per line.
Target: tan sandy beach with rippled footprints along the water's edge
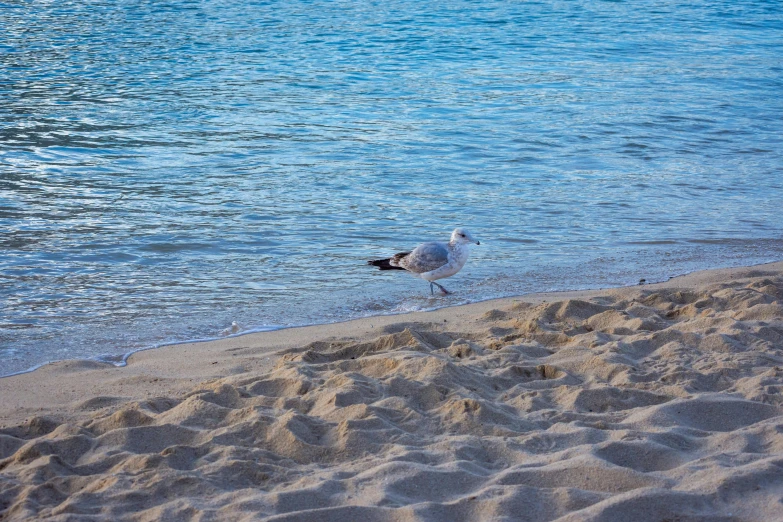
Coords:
pixel 659 403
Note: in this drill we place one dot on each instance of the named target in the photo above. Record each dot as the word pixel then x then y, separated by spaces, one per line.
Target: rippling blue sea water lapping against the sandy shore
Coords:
pixel 167 168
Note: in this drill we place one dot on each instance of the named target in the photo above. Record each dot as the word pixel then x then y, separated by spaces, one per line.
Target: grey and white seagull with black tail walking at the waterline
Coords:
pixel 432 260
